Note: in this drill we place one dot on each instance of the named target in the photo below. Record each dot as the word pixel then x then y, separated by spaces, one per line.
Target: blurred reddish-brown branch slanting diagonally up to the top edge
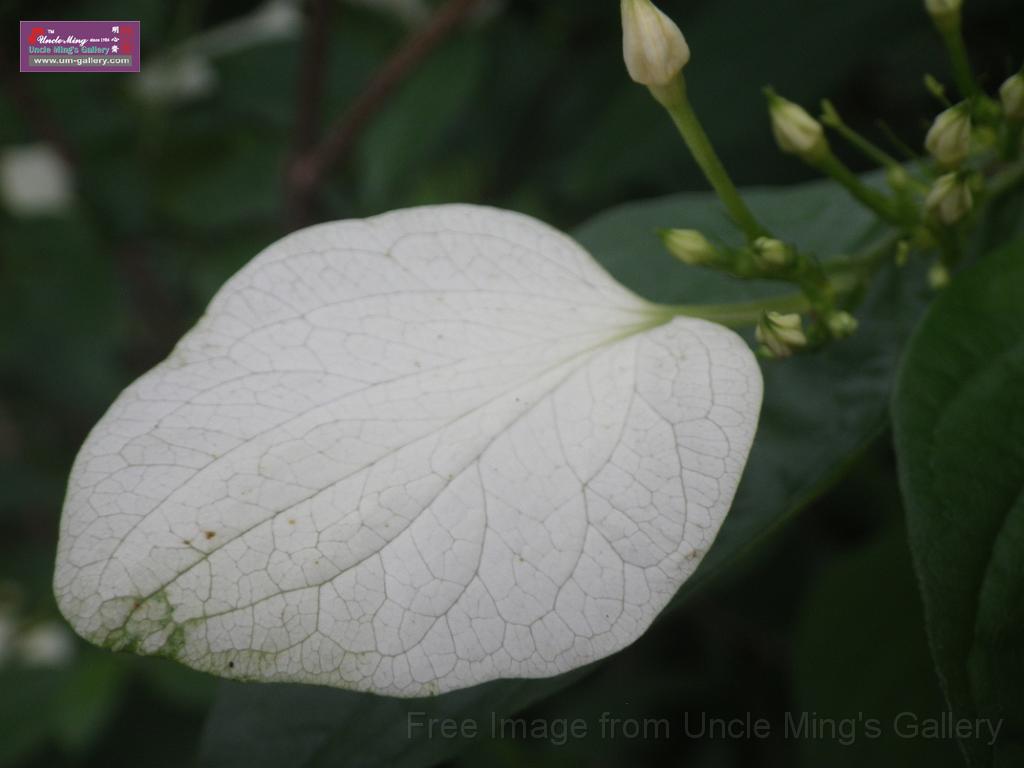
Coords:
pixel 308 170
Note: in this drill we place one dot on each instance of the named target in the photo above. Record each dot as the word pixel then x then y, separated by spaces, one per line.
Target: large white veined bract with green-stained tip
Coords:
pixel 408 455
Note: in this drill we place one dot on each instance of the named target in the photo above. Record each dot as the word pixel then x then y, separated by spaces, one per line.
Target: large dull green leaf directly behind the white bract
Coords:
pixel 820 413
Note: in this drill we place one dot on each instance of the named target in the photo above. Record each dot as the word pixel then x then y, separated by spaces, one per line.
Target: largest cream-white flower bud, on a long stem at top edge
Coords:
pixel 655 50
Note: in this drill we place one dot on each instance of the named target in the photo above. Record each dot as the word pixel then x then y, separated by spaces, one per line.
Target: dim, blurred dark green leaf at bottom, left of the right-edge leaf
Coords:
pixel 863 628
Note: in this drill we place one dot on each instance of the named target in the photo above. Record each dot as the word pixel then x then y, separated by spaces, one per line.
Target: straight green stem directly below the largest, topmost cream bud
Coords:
pixel 674 99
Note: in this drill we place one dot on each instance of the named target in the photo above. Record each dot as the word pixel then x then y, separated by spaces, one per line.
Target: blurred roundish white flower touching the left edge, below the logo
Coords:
pixel 34 181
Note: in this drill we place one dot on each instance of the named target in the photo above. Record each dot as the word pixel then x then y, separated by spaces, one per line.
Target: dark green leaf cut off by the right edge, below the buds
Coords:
pixel 959 420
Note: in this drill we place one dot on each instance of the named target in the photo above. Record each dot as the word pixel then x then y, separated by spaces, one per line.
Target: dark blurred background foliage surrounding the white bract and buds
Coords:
pixel 178 179
